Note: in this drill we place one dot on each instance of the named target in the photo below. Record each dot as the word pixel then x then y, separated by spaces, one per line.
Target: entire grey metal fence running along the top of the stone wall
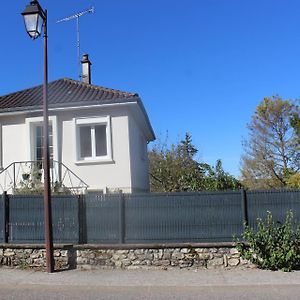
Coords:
pixel 142 218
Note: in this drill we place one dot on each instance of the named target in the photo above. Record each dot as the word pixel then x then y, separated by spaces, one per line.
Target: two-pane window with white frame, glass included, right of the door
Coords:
pixel 93 139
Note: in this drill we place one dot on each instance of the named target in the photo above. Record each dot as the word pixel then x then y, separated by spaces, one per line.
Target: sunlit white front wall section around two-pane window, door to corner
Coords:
pixel 111 175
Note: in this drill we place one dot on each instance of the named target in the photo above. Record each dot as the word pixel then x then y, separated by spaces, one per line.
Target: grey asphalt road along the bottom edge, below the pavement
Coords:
pixel 42 292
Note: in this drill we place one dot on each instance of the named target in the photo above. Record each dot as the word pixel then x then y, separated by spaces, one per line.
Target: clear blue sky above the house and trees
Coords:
pixel 199 65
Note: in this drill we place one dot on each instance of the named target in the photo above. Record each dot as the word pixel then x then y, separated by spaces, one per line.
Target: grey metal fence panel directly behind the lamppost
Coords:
pixel 26 219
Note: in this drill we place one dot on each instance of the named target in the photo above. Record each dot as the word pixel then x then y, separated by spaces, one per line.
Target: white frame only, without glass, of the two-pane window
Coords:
pixel 93 121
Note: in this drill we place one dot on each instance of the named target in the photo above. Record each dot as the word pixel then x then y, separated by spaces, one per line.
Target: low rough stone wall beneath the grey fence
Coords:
pixel 126 257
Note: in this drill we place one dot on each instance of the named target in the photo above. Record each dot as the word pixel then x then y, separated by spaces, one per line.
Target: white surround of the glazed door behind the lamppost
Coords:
pixel 31 123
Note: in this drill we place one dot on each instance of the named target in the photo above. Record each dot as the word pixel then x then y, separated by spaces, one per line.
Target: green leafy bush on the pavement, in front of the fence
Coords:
pixel 273 246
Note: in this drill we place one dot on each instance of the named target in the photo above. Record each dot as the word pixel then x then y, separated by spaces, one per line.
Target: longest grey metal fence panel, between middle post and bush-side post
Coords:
pixel 182 217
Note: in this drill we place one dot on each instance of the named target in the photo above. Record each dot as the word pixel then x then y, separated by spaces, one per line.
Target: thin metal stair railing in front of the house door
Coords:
pixel 27 176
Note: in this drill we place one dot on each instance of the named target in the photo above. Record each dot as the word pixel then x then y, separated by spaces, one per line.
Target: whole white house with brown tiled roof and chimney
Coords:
pixel 99 135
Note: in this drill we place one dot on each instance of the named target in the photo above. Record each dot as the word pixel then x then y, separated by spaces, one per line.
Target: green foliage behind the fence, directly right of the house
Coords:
pixel 175 169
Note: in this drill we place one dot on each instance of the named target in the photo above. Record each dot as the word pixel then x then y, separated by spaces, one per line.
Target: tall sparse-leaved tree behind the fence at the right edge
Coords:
pixel 272 150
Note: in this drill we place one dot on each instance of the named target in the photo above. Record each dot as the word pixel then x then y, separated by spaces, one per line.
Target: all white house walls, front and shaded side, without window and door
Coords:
pixel 128 170
